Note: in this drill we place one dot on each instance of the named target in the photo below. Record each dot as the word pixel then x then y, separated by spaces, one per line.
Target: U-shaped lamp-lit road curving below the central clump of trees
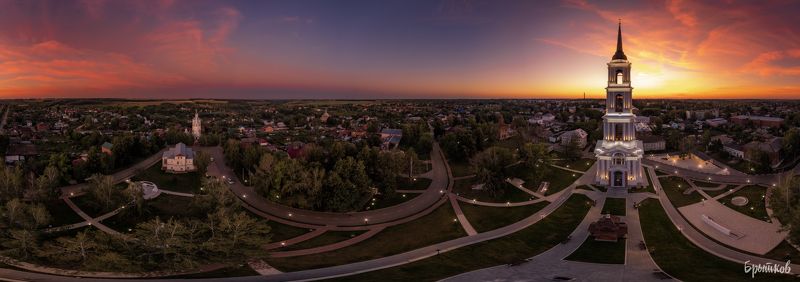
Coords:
pixel 436 190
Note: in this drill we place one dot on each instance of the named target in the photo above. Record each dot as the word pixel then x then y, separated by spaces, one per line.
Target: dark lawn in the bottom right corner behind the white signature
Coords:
pixel 680 258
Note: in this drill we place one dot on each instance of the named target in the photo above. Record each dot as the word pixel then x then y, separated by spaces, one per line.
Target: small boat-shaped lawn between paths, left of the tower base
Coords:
pixel 490 218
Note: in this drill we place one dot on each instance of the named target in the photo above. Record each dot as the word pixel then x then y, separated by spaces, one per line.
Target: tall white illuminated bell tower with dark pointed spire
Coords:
pixel 619 154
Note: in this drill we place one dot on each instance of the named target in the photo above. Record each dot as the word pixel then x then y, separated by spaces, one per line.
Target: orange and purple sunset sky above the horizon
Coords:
pixel 395 49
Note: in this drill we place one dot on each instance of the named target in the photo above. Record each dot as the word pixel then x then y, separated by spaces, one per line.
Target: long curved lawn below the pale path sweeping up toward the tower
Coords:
pixel 525 243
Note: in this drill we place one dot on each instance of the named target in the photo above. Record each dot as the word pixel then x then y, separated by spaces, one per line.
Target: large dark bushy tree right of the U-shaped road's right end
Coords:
pixel 491 167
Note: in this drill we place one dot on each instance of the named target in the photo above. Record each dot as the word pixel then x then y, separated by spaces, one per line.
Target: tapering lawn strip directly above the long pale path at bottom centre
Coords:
pixel 435 227
